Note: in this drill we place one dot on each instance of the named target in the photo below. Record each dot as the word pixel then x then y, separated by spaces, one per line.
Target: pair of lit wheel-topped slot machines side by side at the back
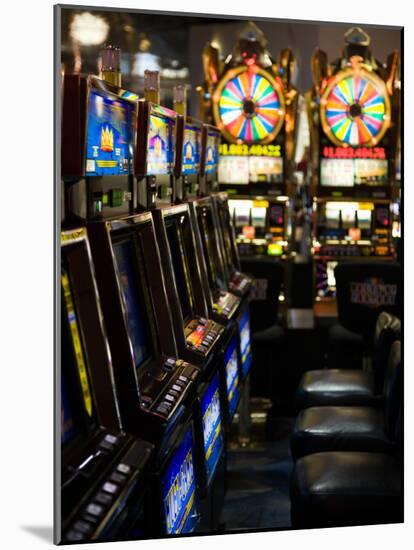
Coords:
pixel 351 167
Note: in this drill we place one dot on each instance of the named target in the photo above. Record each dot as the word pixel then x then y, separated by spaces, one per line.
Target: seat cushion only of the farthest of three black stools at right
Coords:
pixel 335 387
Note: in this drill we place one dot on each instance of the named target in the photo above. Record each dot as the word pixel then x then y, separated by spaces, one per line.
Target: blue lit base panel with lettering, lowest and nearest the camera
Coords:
pixel 178 494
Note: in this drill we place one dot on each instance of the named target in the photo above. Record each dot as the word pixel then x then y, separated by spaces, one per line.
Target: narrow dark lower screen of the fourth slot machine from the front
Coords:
pixel 210 247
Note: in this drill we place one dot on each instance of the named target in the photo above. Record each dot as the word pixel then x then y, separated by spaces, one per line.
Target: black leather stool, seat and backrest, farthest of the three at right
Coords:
pixel 333 387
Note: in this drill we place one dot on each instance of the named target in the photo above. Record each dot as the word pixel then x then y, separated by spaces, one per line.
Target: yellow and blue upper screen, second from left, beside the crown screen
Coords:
pixel 160 146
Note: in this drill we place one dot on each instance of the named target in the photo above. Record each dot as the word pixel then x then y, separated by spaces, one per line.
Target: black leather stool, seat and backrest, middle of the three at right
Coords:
pixel 319 429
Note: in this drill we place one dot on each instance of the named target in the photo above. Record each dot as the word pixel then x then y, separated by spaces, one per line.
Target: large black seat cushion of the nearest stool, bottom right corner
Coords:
pixel 346 488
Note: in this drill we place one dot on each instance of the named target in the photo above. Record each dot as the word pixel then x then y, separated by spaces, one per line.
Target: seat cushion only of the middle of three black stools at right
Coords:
pixel 320 429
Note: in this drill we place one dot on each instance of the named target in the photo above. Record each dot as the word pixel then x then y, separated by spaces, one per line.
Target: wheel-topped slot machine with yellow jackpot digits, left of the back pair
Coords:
pixel 251 99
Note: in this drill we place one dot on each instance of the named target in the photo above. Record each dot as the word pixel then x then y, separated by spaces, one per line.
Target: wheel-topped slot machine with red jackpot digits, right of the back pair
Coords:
pixel 354 112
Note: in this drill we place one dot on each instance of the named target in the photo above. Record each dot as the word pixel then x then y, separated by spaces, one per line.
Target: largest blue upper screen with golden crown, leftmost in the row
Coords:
pixel 109 149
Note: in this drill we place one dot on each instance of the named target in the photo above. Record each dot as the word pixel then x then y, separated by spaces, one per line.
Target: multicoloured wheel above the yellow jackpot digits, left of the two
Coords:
pixel 249 106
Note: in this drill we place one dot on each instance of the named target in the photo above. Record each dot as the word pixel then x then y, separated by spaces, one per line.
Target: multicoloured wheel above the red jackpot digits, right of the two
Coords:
pixel 355 109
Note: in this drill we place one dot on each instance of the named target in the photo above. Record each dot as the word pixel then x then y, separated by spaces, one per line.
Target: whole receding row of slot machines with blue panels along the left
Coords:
pixel 155 334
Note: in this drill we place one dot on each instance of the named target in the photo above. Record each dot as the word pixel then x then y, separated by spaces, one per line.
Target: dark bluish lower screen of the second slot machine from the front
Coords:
pixel 137 326
